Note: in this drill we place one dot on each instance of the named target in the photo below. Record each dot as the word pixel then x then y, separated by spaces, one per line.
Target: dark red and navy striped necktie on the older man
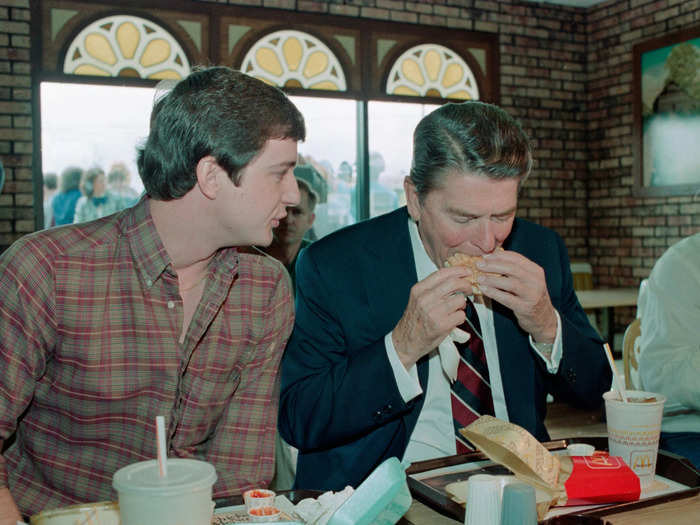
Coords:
pixel 471 392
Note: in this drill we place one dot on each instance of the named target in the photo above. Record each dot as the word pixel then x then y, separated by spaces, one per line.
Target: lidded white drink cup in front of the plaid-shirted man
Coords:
pixel 183 497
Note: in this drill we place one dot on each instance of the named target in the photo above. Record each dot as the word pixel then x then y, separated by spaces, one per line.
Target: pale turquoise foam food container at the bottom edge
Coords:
pixel 381 499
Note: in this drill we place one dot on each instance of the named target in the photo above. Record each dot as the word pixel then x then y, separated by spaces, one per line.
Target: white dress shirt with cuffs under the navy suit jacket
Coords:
pixel 433 435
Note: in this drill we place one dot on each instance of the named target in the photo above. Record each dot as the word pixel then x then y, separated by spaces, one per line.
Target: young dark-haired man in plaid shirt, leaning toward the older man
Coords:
pixel 154 311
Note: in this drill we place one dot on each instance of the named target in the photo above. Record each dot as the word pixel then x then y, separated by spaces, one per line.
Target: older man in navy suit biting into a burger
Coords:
pixel 381 362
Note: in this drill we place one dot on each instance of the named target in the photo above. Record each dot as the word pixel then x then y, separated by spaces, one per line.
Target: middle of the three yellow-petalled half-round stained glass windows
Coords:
pixel 291 58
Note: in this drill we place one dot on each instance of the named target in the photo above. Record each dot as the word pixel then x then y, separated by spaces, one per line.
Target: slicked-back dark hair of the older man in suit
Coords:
pixel 471 137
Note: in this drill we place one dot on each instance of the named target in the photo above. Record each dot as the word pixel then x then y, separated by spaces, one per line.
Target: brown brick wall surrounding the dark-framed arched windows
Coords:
pixel 565 72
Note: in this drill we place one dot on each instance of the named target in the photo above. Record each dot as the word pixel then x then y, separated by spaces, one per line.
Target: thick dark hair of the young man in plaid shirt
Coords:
pixel 214 111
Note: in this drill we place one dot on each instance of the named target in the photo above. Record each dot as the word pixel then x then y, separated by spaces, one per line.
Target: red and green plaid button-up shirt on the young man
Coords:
pixel 90 317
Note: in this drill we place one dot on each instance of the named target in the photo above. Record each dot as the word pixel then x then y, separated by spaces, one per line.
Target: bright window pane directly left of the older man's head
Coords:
pixel 391 126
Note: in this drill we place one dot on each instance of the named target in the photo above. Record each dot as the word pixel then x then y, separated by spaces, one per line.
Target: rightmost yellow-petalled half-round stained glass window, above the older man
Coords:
pixel 432 70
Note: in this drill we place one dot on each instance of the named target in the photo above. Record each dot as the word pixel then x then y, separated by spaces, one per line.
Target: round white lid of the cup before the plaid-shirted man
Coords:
pixel 184 475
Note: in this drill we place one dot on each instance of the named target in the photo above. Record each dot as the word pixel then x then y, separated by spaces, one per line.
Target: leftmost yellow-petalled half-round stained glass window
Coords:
pixel 126 46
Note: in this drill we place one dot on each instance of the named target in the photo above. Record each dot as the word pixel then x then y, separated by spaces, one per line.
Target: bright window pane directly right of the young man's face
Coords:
pixel 330 147
